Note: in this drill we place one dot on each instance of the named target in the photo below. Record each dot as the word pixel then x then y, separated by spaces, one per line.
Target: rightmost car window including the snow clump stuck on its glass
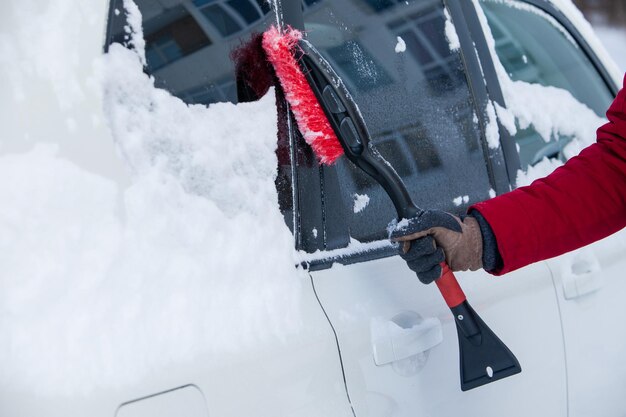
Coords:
pixel 555 99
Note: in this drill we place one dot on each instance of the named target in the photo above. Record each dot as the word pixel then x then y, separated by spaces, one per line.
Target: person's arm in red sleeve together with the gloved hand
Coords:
pixel 579 203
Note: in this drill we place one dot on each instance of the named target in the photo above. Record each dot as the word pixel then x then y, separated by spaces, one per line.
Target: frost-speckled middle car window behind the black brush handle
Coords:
pixel 411 88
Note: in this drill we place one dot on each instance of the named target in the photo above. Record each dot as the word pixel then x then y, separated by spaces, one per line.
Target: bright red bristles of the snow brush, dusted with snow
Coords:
pixel 309 115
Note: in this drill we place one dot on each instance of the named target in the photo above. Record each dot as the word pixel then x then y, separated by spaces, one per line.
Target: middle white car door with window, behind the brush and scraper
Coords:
pixel 415 77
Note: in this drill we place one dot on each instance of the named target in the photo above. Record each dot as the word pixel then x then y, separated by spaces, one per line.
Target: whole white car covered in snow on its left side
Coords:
pixel 465 99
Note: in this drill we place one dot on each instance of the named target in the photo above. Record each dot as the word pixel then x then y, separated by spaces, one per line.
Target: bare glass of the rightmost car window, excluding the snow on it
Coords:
pixel 533 47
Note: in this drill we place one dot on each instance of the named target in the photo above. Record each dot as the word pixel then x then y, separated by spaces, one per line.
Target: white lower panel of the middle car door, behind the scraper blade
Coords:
pixel 521 309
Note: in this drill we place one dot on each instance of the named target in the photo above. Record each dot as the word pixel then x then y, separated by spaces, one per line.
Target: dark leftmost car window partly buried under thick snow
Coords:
pixel 189 51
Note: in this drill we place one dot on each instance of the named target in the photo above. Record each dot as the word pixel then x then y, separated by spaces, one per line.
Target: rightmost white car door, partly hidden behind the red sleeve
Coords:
pixel 537 45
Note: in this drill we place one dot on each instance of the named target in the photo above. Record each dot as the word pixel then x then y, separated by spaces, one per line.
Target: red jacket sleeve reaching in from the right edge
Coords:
pixel 579 203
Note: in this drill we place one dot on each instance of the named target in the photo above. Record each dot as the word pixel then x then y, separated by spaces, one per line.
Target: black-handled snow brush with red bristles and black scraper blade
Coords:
pixel 331 123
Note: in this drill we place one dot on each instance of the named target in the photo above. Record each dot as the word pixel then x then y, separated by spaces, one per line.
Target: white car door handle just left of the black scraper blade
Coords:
pixel 406 334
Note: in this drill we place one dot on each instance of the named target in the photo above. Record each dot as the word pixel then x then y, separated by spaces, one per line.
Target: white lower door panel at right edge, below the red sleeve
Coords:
pixel 591 283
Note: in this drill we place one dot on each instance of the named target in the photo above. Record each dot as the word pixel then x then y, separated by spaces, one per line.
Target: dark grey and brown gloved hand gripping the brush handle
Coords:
pixel 427 240
